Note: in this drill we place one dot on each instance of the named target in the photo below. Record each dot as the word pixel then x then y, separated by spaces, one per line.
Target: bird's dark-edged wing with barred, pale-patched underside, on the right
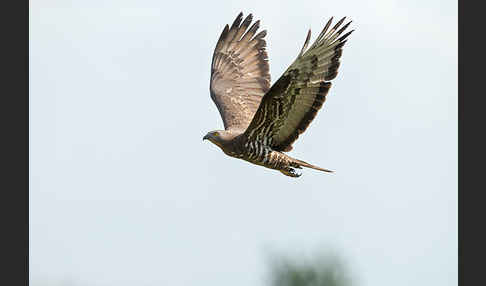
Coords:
pixel 295 98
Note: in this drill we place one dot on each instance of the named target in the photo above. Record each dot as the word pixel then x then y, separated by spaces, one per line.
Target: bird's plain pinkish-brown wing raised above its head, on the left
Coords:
pixel 239 73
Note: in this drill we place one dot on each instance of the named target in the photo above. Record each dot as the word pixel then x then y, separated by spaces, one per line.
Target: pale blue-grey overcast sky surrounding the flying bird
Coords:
pixel 124 192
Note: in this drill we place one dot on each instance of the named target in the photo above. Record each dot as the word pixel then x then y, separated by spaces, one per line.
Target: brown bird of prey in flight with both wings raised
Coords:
pixel 261 122
